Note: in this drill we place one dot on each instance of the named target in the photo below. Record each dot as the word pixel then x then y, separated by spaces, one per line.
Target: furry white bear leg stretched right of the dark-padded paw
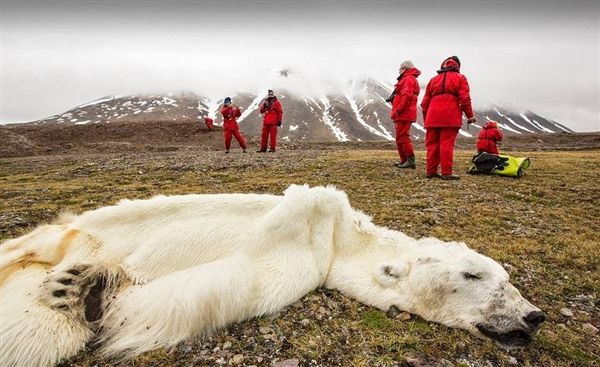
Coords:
pixel 180 305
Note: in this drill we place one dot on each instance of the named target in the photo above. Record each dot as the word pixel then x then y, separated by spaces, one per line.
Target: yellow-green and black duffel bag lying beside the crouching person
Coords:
pixel 503 165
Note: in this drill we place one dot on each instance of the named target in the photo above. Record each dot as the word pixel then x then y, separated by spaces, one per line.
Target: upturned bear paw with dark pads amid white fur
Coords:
pixel 78 291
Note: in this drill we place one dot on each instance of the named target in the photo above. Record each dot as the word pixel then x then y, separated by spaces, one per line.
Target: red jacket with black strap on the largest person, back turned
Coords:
pixel 447 97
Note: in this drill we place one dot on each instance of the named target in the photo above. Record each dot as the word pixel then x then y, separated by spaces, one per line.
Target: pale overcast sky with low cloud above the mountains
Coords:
pixel 542 56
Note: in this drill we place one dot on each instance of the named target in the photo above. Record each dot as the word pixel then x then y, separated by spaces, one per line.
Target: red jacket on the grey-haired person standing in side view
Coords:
pixel 404 105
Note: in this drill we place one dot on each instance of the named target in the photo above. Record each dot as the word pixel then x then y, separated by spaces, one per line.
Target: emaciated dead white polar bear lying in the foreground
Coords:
pixel 150 273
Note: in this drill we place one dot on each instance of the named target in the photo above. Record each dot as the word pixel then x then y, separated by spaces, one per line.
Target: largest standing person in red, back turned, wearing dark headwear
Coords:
pixel 446 98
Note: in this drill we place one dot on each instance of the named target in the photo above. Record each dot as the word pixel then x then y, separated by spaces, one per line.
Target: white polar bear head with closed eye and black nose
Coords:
pixel 458 287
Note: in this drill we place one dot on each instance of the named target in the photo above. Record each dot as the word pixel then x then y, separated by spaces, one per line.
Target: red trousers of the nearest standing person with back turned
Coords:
pixel 439 142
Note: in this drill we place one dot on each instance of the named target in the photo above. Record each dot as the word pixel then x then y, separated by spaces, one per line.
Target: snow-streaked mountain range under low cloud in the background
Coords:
pixel 356 113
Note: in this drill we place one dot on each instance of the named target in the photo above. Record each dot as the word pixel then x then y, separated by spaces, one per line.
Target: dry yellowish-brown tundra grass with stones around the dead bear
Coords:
pixel 544 226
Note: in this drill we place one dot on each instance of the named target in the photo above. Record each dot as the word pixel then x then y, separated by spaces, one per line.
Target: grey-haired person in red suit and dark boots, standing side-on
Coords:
pixel 404 112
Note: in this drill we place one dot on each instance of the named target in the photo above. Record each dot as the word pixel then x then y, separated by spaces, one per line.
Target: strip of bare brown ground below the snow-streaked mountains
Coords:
pixel 22 140
